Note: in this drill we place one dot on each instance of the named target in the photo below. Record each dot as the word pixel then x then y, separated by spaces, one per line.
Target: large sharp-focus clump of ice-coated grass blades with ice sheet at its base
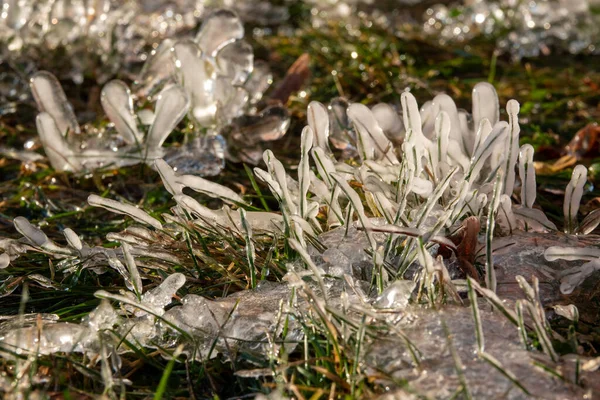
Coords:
pixel 378 244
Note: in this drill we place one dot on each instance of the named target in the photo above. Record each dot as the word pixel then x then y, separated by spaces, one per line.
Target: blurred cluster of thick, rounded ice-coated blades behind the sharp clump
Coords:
pixel 212 79
